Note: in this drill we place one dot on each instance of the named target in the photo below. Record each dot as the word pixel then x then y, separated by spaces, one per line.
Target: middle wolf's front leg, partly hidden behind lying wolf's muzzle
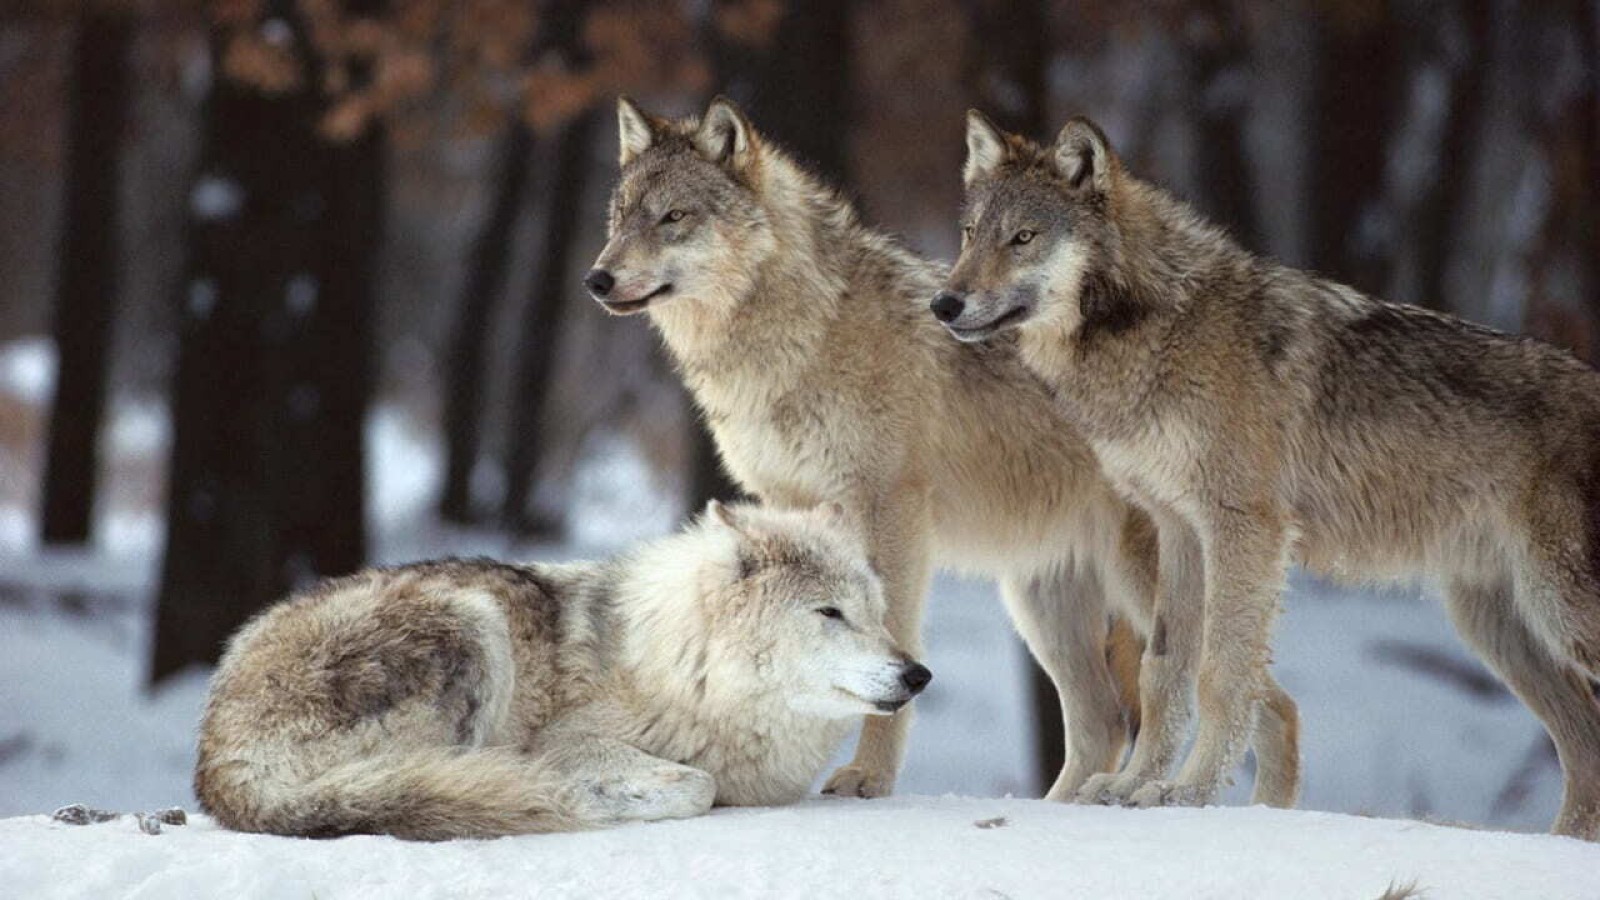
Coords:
pixel 898 532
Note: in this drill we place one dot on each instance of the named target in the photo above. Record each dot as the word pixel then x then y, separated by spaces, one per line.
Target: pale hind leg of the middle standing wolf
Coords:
pixel 1062 617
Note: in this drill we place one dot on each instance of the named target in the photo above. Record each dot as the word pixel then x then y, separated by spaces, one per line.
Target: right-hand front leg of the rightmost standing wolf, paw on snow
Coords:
pixel 1246 565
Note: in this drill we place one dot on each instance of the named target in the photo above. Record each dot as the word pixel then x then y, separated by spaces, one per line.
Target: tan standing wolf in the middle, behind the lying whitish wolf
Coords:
pixel 806 342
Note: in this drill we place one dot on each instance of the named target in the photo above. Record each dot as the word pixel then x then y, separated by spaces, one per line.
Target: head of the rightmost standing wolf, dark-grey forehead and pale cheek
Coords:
pixel 1036 225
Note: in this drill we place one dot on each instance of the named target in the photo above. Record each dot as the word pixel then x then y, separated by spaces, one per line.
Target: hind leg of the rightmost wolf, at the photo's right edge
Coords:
pixel 1558 693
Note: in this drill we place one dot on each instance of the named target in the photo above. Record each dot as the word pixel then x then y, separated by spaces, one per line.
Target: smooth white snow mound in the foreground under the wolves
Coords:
pixel 913 848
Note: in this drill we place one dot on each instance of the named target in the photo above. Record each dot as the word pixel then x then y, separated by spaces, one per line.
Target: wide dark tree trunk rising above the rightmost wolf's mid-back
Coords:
pixel 1358 84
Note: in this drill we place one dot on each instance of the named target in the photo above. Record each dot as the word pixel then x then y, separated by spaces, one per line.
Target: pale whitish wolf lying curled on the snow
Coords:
pixel 470 699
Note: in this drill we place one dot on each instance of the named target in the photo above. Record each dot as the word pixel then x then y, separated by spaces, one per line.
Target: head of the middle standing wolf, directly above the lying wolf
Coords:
pixel 686 215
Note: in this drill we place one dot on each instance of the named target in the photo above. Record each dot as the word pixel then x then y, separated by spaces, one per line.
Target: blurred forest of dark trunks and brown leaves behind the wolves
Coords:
pixel 294 286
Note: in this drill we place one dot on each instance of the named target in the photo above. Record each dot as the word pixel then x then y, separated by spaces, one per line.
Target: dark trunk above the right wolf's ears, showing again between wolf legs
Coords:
pixel 1009 70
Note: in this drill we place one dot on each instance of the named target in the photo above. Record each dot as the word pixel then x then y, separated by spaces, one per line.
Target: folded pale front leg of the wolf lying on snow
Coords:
pixel 609 782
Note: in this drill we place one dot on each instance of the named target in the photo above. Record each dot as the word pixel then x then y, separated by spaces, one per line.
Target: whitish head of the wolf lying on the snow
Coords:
pixel 799 616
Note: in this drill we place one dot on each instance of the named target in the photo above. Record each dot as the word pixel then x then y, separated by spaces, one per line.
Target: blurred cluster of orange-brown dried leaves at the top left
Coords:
pixel 498 57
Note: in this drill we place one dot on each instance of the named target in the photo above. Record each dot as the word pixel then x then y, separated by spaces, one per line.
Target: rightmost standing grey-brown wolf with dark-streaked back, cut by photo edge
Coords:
pixel 1266 416
